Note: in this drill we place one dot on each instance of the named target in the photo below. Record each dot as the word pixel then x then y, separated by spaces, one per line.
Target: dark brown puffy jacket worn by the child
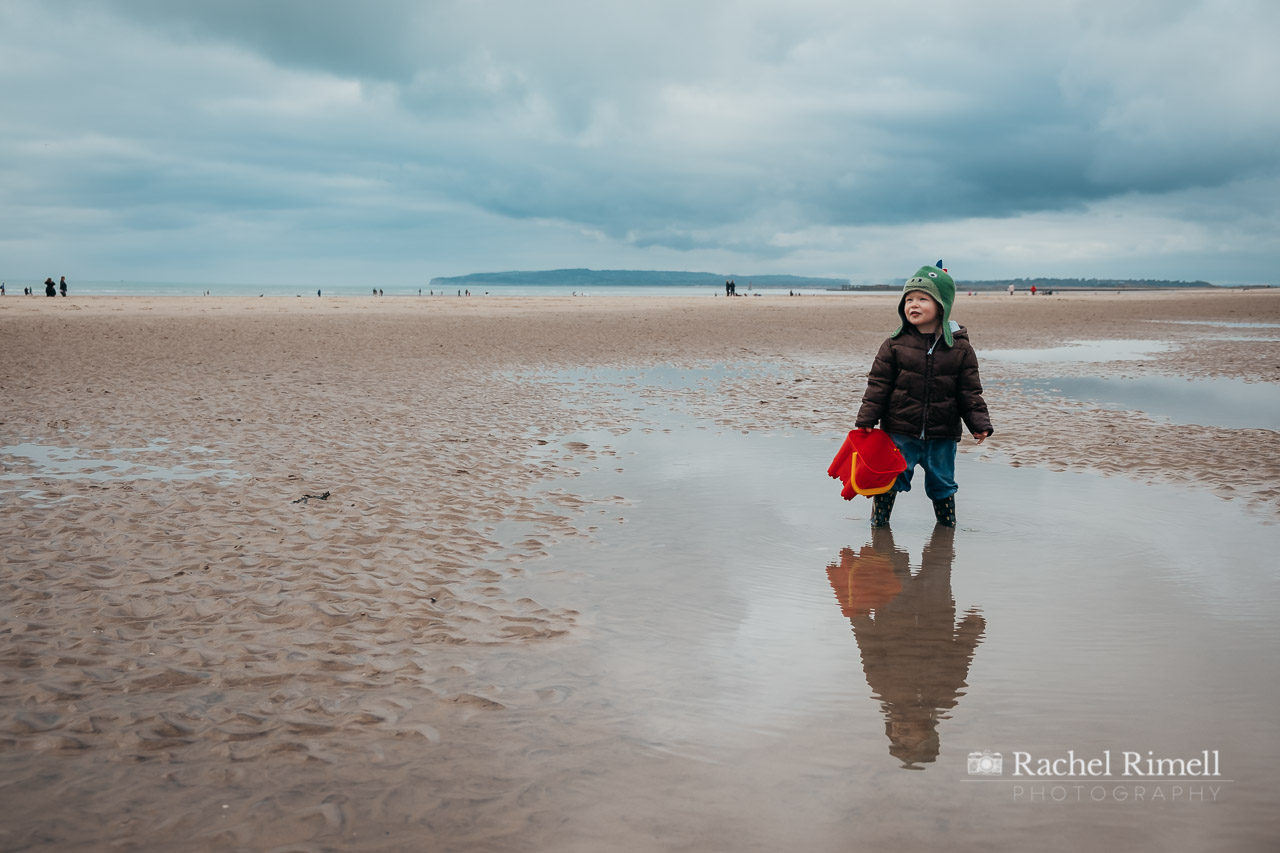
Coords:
pixel 924 395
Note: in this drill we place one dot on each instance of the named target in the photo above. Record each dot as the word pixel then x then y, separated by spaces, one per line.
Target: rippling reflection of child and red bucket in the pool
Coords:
pixel 915 653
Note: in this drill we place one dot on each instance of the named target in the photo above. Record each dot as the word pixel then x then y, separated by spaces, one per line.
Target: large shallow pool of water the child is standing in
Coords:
pixel 758 670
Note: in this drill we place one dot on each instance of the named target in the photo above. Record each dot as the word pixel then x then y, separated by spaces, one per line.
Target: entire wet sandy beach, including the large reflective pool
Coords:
pixel 534 614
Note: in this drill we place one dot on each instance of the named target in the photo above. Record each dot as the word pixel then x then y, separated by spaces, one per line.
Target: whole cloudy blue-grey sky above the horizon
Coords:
pixel 327 143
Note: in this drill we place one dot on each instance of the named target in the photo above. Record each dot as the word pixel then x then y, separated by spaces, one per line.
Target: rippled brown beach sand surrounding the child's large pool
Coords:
pixel 195 656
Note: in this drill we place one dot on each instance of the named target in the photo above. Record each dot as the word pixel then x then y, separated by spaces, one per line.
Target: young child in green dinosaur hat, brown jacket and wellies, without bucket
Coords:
pixel 924 384
